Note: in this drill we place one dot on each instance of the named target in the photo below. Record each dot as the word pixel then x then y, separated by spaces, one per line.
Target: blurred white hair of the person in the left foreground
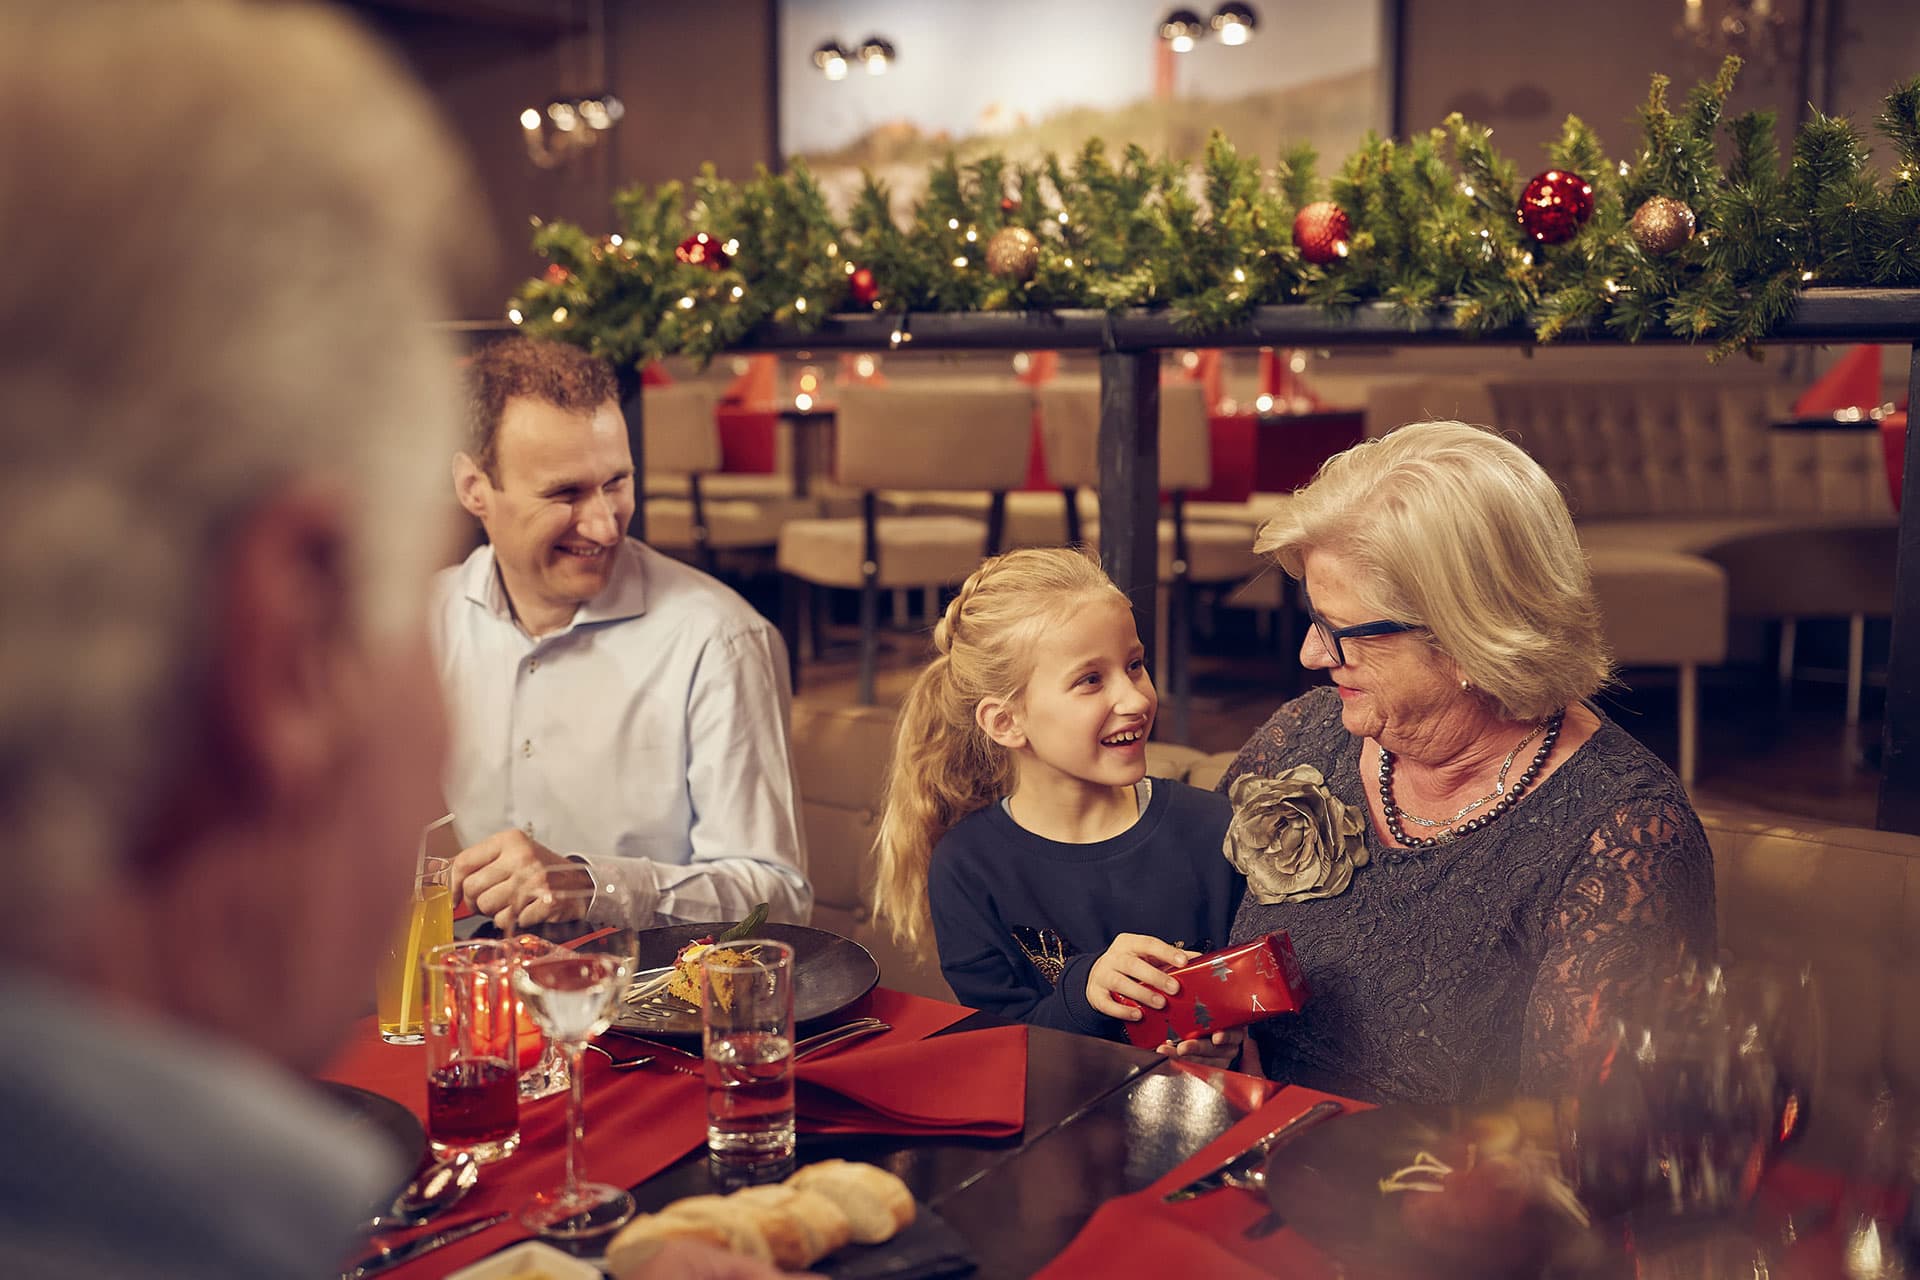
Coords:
pixel 231 231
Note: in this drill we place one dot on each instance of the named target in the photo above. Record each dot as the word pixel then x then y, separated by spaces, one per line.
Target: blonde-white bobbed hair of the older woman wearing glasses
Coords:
pixel 1458 531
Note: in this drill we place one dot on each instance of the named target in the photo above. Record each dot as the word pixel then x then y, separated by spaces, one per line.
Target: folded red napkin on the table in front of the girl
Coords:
pixel 967 1085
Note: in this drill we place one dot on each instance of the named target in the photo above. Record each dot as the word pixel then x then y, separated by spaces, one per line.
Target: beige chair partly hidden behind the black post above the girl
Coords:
pixel 1191 556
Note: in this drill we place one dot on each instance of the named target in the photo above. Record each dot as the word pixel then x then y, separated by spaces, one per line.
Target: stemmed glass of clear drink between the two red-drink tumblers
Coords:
pixel 573 993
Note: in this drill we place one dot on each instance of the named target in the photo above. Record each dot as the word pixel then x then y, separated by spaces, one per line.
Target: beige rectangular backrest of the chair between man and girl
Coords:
pixel 934 439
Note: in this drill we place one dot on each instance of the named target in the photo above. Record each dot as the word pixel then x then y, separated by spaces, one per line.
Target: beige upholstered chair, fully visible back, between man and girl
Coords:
pixel 951 439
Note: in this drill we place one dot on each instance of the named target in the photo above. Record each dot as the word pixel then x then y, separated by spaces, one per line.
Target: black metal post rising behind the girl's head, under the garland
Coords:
pixel 1130 483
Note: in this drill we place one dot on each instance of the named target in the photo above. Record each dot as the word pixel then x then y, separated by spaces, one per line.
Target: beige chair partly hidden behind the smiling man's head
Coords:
pixel 683 450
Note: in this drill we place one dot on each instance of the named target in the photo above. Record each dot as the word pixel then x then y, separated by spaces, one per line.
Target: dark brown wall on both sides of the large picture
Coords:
pixel 698 82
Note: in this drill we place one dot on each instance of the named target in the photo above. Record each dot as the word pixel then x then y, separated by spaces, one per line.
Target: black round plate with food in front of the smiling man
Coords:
pixel 828 974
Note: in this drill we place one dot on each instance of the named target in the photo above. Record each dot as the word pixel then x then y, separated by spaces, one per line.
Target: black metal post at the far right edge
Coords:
pixel 1900 780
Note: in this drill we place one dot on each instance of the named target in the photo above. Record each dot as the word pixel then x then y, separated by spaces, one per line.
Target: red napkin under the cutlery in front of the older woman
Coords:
pixel 1141 1235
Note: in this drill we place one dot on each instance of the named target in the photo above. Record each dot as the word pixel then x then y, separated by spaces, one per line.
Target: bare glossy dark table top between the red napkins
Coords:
pixel 1103 1120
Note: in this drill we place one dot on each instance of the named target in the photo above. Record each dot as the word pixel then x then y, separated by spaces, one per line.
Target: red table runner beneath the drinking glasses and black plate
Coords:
pixel 638 1122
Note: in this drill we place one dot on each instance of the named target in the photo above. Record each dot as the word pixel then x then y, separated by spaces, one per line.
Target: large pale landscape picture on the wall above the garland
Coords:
pixel 892 85
